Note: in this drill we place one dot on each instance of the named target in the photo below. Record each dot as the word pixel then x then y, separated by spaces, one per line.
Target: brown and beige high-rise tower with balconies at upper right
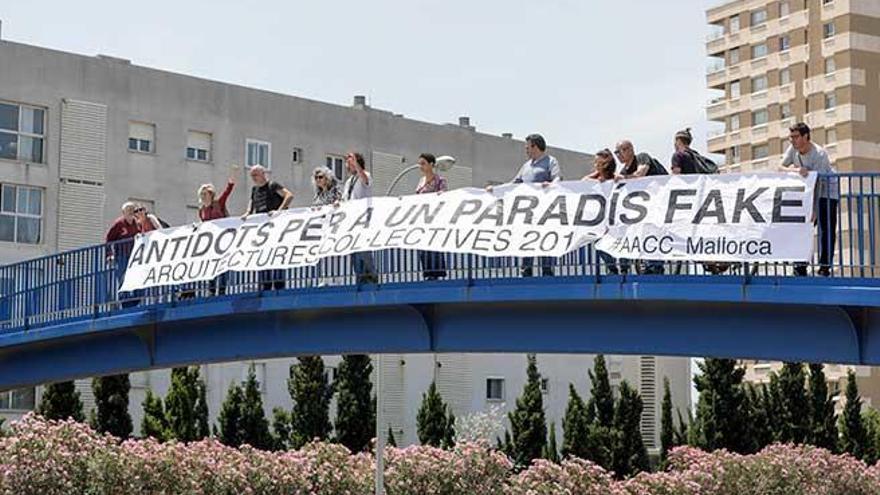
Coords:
pixel 778 62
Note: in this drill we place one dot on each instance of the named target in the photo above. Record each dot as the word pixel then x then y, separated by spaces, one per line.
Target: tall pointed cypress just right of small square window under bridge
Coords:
pixel 527 422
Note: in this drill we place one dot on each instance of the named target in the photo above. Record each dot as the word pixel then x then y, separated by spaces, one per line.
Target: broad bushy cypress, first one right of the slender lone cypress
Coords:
pixel 720 422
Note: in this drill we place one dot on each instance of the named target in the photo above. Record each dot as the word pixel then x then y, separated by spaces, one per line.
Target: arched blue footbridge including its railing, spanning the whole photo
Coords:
pixel 61 318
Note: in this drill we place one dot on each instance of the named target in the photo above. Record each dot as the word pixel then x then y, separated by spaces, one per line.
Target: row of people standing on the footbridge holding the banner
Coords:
pixel 269 197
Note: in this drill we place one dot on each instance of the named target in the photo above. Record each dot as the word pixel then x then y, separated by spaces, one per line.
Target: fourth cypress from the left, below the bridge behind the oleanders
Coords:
pixel 185 406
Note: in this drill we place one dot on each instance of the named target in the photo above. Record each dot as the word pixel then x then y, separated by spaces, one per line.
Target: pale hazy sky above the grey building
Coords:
pixel 584 73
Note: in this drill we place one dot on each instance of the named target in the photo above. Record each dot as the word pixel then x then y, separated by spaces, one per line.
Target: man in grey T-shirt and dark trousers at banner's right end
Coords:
pixel 802 157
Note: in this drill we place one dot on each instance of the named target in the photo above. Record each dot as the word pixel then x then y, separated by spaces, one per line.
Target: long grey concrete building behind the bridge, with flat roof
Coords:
pixel 80 135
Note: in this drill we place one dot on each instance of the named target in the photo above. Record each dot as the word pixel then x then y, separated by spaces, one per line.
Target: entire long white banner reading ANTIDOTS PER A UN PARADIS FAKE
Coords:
pixel 700 217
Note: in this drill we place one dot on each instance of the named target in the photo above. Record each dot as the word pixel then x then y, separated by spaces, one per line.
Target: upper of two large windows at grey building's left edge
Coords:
pixel 22 132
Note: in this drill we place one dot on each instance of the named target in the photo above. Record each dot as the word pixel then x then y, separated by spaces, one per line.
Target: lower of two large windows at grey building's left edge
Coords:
pixel 21 214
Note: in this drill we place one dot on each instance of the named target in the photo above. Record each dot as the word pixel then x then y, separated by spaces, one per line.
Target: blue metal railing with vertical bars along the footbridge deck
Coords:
pixel 82 284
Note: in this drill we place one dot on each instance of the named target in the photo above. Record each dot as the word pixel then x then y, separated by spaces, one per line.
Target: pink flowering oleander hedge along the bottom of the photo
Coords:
pixel 64 457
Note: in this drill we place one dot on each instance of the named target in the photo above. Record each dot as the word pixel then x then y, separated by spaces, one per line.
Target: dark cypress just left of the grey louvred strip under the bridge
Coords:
pixel 630 455
